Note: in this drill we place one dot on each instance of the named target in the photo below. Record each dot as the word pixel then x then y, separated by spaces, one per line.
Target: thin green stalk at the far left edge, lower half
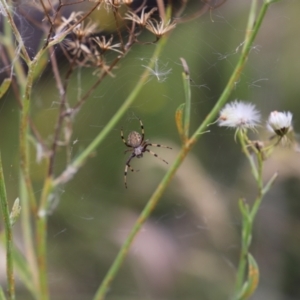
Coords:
pixel 8 237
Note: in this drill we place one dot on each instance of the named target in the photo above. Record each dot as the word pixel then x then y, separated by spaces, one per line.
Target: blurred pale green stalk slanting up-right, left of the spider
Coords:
pixel 79 160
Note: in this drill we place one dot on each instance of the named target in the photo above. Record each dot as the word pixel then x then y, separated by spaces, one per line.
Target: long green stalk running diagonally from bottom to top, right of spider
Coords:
pixel 253 29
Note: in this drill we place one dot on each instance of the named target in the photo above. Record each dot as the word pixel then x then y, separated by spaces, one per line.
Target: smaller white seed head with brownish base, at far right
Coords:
pixel 280 122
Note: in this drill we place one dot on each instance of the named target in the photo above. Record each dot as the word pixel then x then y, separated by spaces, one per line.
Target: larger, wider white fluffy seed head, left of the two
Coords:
pixel 240 115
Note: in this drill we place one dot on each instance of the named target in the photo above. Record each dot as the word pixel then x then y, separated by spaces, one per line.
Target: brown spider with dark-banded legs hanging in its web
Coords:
pixel 138 146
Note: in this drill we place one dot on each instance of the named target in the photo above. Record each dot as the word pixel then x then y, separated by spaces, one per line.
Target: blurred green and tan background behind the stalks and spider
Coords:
pixel 189 248
